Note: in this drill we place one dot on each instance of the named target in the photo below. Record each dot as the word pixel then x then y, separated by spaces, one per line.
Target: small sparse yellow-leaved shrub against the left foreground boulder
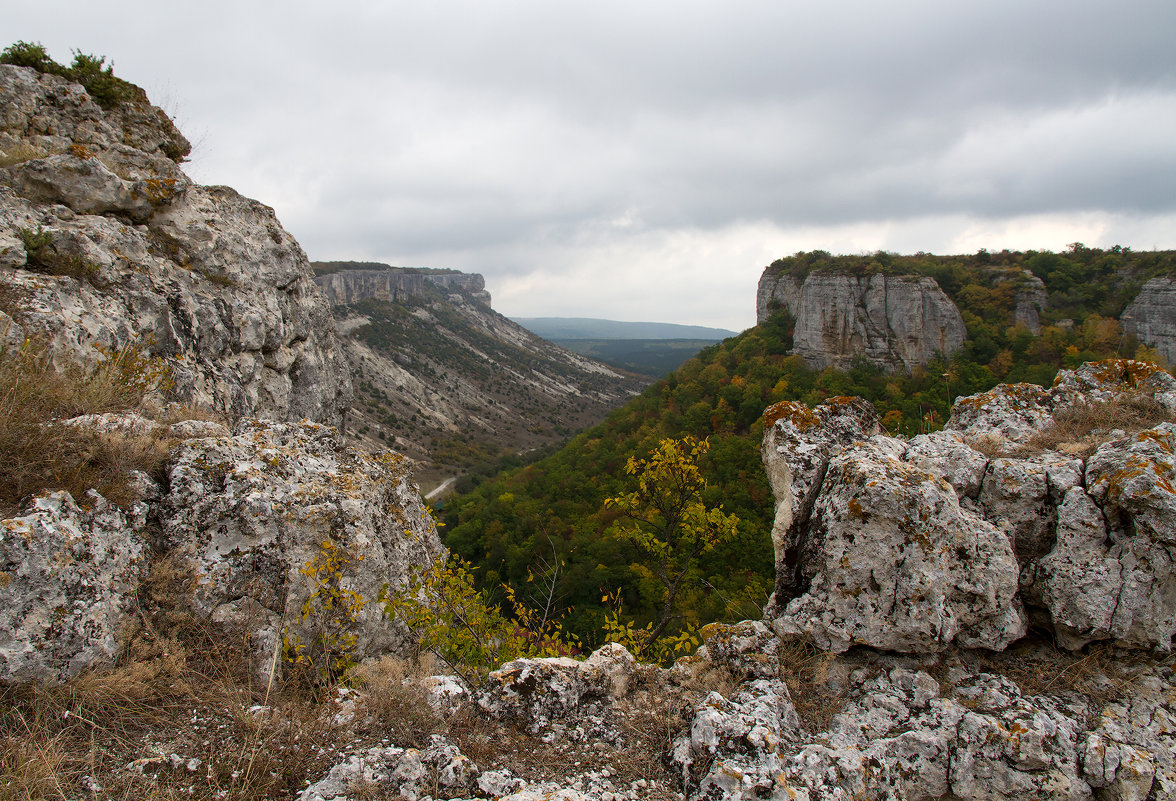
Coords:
pixel 331 611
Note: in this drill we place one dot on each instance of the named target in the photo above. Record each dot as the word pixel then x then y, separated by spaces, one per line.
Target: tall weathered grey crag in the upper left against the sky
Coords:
pixel 105 243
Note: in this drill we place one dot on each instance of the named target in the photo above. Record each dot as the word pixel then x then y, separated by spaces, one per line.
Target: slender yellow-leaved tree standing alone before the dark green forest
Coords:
pixel 667 518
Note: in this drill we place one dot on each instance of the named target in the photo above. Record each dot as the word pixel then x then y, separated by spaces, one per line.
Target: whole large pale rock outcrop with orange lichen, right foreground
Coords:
pixel 920 545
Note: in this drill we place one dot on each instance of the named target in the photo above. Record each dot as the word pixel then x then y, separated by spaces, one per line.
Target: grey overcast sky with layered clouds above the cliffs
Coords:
pixel 646 161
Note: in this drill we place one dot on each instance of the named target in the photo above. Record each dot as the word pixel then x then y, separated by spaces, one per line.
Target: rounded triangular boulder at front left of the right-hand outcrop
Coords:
pixel 894 562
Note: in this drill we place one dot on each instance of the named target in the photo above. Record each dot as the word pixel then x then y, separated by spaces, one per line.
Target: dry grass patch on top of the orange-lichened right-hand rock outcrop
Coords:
pixel 1079 430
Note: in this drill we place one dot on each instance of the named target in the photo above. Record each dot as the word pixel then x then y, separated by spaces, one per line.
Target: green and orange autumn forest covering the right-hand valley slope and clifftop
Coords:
pixel 558 503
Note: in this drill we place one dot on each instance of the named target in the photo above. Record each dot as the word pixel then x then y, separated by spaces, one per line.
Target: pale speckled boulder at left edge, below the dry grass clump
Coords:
pixel 69 573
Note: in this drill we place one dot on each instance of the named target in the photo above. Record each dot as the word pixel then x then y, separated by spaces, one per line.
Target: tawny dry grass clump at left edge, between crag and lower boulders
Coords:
pixel 39 453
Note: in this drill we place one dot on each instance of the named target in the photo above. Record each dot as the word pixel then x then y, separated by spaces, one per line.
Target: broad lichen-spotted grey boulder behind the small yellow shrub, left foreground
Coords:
pixel 259 517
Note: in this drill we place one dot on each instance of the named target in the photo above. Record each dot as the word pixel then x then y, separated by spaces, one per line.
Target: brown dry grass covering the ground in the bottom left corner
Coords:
pixel 178 717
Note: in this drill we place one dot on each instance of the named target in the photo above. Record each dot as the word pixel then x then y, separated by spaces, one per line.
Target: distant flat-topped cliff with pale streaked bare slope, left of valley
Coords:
pixel 450 383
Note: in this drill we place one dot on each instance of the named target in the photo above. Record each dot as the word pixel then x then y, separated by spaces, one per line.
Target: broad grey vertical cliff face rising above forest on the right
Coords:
pixel 899 322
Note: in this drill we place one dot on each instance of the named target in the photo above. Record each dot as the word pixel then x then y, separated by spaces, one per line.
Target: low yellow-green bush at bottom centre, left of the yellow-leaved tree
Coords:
pixel 455 620
